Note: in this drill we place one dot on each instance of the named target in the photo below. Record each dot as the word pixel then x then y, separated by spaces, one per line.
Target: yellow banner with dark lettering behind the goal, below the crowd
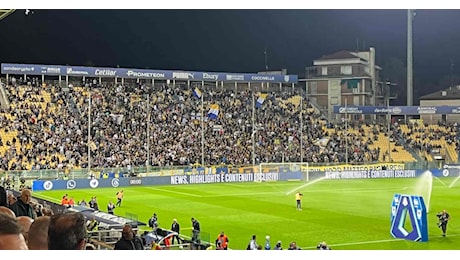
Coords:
pixel 350 167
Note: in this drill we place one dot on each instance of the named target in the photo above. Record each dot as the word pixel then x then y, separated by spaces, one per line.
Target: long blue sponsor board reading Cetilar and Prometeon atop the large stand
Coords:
pixel 80 71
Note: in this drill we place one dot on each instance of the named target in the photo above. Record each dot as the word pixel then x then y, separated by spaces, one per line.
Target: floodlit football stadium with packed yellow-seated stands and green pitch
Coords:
pixel 234 161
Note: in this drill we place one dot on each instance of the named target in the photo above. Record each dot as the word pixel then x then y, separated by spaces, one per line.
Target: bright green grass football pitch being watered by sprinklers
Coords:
pixel 347 214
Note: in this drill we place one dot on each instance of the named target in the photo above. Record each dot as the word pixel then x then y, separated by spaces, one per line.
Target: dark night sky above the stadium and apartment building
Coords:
pixel 233 40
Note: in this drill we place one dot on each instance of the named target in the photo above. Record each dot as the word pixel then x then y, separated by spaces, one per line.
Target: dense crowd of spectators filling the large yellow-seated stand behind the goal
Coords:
pixel 49 127
